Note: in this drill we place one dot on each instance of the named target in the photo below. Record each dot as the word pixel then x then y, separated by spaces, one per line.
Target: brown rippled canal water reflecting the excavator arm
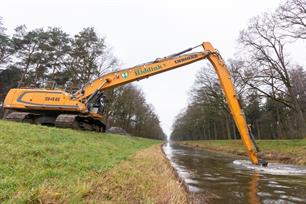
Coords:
pixel 221 180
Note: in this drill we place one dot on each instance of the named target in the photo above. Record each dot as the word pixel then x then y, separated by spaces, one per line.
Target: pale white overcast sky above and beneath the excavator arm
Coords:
pixel 140 31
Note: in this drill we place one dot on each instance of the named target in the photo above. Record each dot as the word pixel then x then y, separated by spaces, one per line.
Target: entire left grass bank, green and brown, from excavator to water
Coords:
pixel 51 165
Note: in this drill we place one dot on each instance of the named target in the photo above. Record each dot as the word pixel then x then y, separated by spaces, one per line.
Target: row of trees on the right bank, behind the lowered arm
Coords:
pixel 270 86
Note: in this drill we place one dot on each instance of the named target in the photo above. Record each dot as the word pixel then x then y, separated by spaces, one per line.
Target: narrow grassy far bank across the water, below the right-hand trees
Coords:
pixel 285 151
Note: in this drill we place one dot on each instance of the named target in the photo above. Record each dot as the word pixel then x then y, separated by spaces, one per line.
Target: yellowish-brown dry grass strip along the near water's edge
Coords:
pixel 146 177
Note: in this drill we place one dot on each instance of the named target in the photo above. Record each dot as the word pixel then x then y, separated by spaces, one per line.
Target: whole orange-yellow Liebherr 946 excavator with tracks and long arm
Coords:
pixel 82 110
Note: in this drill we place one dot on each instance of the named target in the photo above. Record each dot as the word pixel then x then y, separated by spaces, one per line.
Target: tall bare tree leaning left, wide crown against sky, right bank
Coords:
pixel 266 65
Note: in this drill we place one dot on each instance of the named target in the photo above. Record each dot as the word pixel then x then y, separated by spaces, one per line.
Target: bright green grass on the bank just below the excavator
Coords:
pixel 37 160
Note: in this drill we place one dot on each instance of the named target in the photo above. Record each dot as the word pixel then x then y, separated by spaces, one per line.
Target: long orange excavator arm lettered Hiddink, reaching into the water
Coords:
pixel 168 63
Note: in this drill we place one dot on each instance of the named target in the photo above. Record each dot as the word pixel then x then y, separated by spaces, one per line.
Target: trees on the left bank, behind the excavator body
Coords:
pixel 48 57
